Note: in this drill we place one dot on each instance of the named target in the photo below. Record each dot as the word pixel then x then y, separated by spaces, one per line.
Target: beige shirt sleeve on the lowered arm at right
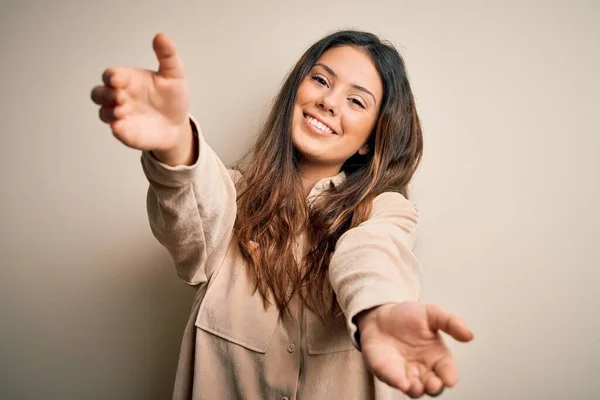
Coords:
pixel 373 264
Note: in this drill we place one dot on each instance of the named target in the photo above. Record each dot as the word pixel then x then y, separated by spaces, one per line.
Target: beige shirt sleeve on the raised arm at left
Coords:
pixel 191 210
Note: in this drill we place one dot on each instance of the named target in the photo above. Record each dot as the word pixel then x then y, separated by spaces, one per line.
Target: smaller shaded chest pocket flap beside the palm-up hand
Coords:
pixel 327 337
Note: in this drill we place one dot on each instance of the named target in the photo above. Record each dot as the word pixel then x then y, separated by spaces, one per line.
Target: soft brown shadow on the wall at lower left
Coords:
pixel 111 329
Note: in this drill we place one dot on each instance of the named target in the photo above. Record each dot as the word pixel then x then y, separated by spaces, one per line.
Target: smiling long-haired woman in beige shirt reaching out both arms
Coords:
pixel 307 284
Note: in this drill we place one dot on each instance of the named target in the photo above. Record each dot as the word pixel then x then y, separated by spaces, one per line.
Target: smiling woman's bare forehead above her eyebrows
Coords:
pixel 353 66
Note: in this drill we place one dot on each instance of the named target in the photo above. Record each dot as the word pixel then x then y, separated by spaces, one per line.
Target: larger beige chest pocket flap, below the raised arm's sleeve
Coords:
pixel 231 311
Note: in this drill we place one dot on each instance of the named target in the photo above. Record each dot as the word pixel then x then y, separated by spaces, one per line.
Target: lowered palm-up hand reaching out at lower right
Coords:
pixel 402 346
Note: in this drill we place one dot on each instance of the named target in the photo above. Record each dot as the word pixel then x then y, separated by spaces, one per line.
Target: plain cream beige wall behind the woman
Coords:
pixel 508 93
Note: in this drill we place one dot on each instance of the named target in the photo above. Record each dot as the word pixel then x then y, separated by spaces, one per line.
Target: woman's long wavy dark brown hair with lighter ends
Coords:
pixel 272 206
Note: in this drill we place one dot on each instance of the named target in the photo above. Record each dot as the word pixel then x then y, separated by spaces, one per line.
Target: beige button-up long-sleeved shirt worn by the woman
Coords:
pixel 232 348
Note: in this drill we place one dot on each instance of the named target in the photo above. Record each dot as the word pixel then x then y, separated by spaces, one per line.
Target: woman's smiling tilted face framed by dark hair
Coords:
pixel 336 108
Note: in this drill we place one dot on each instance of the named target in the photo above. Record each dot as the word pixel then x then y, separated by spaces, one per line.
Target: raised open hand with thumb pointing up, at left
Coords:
pixel 148 110
